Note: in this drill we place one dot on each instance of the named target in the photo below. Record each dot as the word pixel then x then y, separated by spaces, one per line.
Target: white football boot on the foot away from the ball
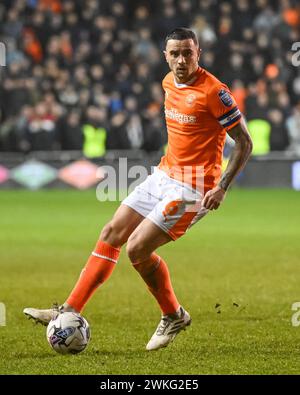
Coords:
pixel 169 326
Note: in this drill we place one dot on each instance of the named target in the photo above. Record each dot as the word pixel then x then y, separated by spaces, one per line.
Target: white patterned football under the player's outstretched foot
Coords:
pixel 69 333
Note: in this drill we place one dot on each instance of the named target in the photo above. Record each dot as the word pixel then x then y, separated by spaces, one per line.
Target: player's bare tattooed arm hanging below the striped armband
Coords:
pixel 237 160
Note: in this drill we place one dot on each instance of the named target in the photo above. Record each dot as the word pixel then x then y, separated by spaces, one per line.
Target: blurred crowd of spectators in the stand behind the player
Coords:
pixel 78 70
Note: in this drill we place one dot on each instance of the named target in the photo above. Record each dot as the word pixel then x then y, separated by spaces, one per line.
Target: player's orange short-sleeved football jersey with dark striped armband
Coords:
pixel 198 114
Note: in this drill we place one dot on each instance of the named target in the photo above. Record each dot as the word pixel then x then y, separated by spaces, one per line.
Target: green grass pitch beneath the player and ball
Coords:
pixel 243 258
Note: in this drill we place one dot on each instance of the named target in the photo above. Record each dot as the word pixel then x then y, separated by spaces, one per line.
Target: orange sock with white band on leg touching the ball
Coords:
pixel 97 270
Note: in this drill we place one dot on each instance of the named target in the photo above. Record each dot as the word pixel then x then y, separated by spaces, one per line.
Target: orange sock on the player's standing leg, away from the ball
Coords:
pixel 159 284
